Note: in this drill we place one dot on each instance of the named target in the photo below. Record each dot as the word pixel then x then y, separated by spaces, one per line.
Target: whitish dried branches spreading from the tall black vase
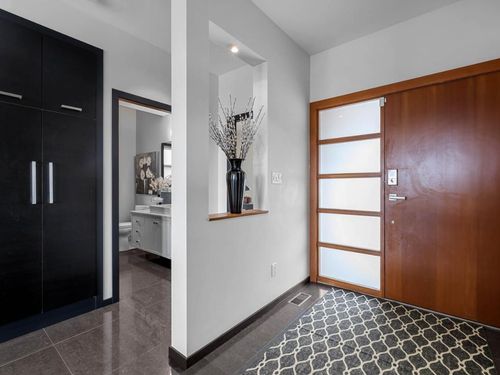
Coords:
pixel 224 131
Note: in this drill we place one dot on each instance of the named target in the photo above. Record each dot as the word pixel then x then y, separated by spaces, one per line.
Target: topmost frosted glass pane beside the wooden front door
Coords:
pixel 349 120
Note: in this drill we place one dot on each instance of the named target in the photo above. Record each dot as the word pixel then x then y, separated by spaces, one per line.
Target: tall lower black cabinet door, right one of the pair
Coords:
pixel 69 262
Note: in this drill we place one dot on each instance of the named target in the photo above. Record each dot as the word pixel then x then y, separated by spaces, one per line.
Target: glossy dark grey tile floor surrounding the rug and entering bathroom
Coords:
pixel 133 336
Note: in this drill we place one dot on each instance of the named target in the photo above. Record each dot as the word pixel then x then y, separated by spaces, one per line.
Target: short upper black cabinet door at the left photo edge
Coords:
pixel 20 64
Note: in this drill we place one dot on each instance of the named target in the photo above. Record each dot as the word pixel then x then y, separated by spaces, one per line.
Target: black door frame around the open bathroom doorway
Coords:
pixel 118 95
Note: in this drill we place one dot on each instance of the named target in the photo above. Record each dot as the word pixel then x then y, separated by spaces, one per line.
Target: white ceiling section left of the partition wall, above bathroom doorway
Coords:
pixel 148 20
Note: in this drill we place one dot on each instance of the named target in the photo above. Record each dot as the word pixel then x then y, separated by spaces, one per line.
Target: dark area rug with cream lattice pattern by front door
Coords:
pixel 350 333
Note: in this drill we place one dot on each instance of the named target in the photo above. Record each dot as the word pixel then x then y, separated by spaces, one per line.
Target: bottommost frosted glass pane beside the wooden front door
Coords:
pixel 354 268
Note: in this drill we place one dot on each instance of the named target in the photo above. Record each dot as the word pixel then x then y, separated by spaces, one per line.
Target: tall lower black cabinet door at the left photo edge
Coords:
pixel 20 217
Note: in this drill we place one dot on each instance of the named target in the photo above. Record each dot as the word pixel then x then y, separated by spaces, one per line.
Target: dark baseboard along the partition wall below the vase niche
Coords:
pixel 181 362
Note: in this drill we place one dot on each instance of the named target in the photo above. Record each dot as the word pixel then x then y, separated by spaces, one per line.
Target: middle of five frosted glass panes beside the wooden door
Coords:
pixel 362 194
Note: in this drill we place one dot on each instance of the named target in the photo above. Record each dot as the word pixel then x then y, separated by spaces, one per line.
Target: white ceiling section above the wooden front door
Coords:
pixel 317 25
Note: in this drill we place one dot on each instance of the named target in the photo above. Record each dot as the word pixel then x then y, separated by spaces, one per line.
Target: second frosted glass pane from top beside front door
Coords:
pixel 350 157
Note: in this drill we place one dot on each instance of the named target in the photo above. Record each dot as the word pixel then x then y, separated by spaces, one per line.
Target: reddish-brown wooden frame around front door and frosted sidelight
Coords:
pixel 369 94
